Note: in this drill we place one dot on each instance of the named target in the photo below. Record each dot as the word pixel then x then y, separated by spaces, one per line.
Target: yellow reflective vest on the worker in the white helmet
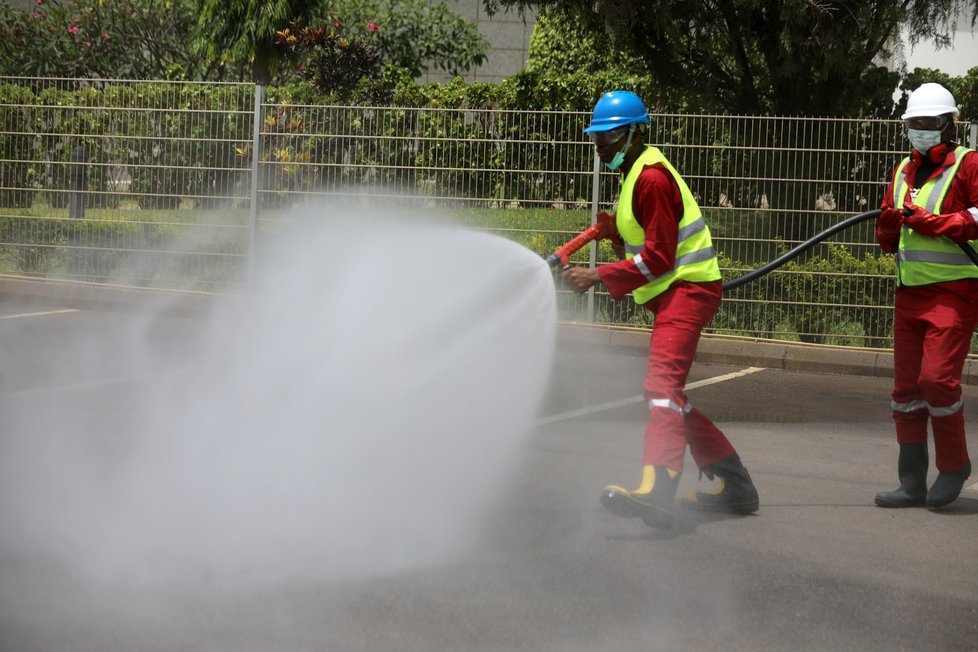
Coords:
pixel 922 260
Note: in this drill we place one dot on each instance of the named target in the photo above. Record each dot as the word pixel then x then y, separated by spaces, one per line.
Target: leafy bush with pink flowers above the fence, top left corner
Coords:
pixel 111 39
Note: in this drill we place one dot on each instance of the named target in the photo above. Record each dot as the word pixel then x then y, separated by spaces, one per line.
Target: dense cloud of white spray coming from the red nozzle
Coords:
pixel 356 415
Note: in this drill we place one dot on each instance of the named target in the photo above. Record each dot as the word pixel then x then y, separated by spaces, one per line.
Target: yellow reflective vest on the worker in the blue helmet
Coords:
pixel 696 260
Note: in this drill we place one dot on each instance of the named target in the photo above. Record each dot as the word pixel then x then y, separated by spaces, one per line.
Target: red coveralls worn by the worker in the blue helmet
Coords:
pixel 681 313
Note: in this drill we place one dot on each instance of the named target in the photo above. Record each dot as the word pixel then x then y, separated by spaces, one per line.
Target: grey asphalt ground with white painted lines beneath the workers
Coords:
pixel 818 568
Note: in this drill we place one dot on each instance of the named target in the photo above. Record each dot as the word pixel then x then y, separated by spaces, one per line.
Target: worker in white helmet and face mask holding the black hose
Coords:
pixel 930 209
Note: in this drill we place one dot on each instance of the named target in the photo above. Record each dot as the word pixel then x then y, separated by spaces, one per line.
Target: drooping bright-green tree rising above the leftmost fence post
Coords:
pixel 229 30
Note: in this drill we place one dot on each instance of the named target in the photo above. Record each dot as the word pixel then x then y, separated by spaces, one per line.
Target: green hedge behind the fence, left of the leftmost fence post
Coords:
pixel 167 152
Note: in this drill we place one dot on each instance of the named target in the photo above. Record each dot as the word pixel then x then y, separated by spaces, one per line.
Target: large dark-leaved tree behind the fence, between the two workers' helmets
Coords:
pixel 811 57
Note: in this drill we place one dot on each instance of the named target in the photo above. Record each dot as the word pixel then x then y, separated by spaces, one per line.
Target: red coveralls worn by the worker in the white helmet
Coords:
pixel 933 324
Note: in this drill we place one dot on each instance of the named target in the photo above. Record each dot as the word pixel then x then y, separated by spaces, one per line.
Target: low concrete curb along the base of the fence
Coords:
pixel 748 352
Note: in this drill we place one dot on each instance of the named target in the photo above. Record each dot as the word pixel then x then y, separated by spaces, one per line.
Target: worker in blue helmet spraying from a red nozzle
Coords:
pixel 670 267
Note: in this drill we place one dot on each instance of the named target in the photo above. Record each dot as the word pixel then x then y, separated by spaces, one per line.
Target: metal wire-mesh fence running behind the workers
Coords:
pixel 174 185
